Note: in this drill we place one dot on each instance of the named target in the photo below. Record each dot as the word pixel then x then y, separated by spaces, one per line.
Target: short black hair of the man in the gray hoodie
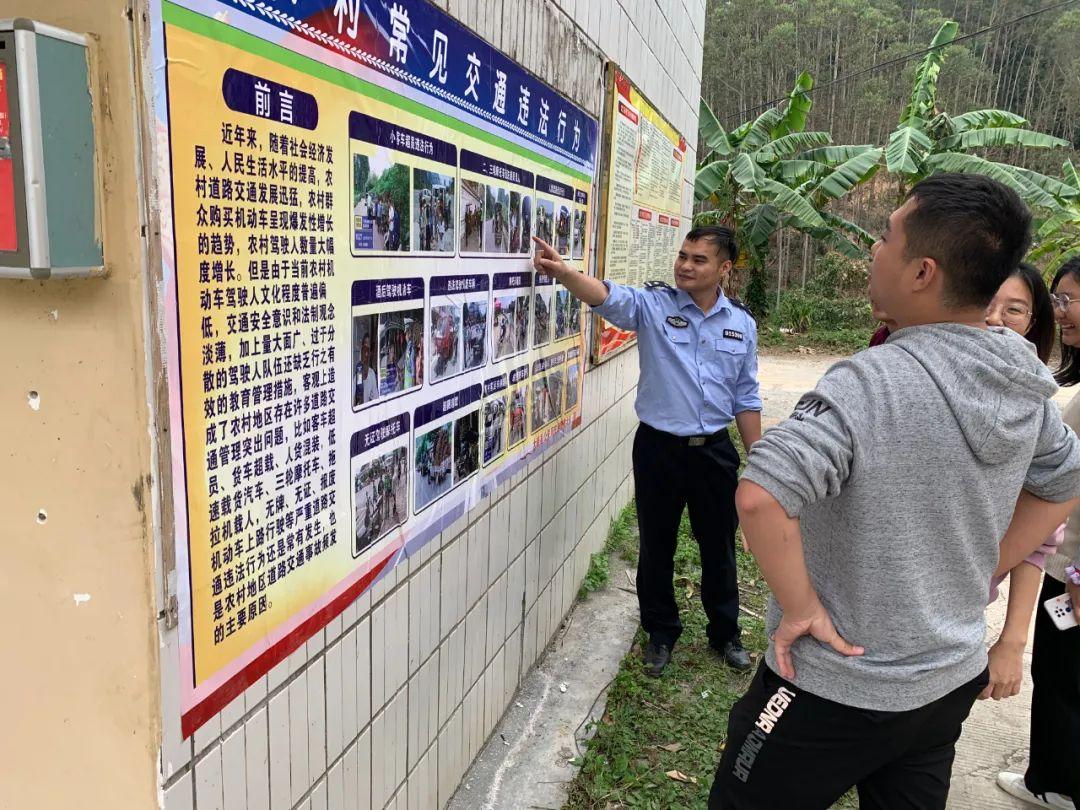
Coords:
pixel 975 227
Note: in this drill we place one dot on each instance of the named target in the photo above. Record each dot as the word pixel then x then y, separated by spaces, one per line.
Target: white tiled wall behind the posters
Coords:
pixel 389 705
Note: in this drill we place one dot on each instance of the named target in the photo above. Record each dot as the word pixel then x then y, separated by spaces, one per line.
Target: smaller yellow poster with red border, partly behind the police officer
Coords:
pixel 642 200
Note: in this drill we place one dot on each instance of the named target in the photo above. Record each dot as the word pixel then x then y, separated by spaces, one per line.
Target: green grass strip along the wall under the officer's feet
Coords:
pixel 627 762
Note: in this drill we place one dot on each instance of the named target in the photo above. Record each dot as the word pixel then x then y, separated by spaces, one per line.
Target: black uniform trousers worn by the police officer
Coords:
pixel 671 475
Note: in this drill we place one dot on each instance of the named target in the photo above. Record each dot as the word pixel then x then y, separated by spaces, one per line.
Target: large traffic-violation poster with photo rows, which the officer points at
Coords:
pixel 358 347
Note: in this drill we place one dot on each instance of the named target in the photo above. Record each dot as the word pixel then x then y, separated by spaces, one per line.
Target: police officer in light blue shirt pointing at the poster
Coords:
pixel 698 356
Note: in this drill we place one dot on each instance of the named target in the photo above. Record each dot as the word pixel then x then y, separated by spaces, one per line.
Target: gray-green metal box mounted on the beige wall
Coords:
pixel 49 192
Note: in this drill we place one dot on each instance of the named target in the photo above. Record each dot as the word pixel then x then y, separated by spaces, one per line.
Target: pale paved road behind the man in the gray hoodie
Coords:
pixel 995 736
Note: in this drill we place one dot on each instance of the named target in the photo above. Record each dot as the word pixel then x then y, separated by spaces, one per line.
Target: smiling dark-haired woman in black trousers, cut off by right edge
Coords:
pixel 1054 777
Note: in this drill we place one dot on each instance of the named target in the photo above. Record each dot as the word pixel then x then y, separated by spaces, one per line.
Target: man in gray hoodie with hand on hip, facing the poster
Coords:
pixel 880 511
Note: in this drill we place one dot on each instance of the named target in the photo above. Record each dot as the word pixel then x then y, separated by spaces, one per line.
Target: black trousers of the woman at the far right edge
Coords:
pixel 1056 704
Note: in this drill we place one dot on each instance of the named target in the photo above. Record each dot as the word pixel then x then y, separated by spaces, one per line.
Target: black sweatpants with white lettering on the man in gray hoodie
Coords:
pixel 790 749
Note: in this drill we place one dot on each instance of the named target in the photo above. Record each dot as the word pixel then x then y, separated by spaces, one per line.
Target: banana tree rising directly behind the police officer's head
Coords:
pixel 771 173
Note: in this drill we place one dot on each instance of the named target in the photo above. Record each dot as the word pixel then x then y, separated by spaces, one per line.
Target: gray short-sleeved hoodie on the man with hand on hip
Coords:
pixel 904 467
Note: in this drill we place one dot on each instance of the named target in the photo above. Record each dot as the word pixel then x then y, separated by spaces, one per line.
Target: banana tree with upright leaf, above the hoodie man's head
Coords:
pixel 929 141
